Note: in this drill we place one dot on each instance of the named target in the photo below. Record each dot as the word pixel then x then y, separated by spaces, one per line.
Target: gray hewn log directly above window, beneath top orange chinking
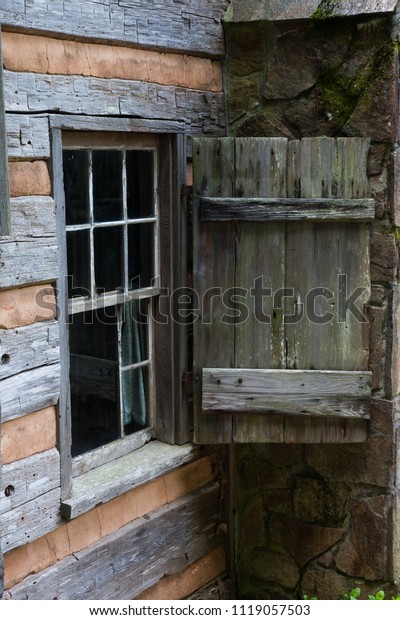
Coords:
pixel 203 112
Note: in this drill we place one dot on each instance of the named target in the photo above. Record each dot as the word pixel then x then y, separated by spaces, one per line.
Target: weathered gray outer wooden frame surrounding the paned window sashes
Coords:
pixel 170 424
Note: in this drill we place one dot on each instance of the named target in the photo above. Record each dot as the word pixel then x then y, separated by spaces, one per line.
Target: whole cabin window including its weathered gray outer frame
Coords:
pixel 121 229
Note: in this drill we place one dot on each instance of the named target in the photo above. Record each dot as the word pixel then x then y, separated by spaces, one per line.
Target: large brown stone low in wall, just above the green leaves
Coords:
pixel 363 553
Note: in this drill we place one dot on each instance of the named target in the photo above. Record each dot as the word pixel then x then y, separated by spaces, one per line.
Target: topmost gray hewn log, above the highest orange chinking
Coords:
pixel 167 24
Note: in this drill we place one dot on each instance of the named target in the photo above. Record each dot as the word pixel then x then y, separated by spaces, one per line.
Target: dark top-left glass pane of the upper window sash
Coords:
pixel 76 186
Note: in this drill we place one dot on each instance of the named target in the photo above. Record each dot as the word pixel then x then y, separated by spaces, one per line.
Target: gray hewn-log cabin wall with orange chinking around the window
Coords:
pixel 92 59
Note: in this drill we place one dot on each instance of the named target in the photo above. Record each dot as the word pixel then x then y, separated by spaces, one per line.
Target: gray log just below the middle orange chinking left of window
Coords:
pixel 28 347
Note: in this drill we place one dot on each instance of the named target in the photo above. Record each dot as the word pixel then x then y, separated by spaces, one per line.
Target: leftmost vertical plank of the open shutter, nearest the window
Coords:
pixel 213 268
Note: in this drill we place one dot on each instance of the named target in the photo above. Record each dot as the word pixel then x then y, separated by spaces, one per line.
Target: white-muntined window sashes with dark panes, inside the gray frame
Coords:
pixel 111 212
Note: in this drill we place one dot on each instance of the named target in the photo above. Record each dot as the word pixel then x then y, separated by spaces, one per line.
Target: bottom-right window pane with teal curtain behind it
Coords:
pixel 135 397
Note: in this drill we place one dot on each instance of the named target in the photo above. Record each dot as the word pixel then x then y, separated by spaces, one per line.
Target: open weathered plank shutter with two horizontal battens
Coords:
pixel 281 276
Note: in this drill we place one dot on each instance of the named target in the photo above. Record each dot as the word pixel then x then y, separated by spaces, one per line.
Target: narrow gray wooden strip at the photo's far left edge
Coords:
pixel 5 215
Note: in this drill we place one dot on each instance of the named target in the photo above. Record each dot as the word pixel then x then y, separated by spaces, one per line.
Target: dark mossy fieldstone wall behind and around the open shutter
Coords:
pixel 318 519
